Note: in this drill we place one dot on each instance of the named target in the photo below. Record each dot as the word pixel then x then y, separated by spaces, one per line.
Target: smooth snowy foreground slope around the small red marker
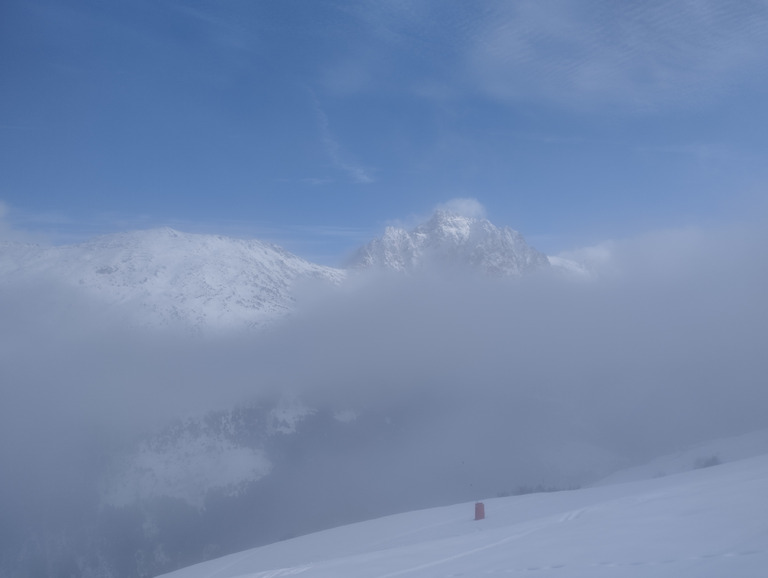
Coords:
pixel 709 522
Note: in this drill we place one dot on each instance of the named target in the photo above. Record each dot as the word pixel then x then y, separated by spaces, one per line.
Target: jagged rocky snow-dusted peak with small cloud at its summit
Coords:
pixel 452 239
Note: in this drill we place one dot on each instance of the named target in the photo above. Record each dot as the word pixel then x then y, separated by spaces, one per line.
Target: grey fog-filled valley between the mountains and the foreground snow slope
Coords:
pixel 387 394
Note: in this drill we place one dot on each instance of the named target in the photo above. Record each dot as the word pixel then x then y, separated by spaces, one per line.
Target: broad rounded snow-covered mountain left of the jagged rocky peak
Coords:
pixel 173 278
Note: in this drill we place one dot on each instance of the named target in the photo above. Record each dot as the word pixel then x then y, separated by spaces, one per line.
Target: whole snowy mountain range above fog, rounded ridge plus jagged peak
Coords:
pixel 162 277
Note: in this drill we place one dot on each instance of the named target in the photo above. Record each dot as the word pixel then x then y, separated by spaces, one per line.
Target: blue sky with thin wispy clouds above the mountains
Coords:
pixel 315 123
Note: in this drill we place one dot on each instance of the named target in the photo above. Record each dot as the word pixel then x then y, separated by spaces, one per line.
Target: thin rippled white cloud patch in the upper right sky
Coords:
pixel 644 55
